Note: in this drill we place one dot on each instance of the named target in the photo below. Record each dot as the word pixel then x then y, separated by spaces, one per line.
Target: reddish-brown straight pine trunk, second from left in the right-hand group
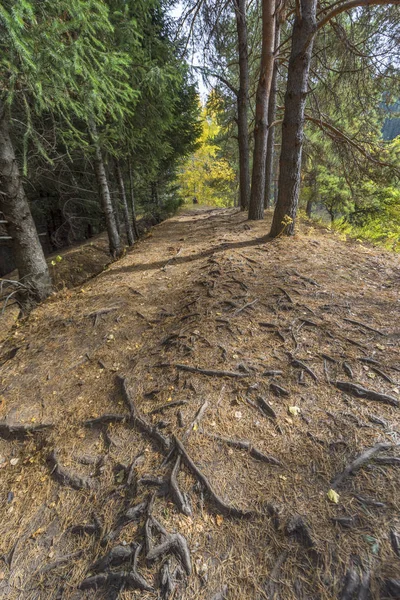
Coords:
pixel 256 209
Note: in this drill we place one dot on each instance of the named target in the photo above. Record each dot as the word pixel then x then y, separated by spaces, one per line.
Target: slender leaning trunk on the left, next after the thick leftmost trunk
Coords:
pixel 105 197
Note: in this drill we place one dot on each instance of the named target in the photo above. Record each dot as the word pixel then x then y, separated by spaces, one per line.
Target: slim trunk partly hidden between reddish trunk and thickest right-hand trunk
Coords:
pixel 270 161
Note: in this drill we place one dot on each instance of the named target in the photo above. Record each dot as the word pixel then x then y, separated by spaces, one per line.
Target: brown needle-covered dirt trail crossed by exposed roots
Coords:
pixel 293 324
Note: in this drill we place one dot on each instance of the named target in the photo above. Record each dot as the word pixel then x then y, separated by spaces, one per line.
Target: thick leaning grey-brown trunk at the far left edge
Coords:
pixel 28 253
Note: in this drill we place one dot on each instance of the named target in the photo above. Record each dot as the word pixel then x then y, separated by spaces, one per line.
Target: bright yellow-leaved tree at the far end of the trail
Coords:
pixel 205 176
